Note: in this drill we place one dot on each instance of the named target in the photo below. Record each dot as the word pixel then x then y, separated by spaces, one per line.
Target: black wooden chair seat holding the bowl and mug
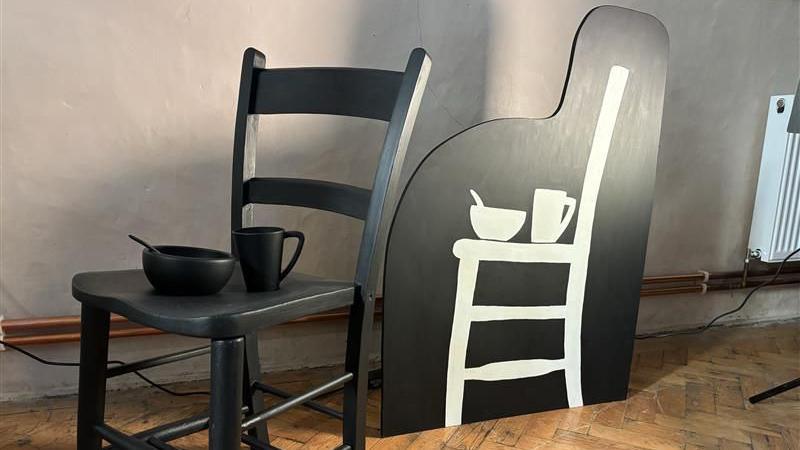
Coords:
pixel 231 312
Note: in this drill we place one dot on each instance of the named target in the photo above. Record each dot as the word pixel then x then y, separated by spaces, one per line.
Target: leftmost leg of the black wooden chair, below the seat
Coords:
pixel 92 376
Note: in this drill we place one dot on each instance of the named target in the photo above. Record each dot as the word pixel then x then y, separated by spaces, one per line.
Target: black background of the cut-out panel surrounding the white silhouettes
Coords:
pixel 505 160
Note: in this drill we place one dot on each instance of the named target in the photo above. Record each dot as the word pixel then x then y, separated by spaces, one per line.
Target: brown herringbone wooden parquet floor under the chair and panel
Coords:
pixel 686 392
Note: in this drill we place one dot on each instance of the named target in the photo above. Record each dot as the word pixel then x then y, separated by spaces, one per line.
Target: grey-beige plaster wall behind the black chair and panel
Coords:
pixel 117 117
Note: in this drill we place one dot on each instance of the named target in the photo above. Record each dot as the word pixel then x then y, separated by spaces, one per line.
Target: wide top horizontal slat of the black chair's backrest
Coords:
pixel 367 93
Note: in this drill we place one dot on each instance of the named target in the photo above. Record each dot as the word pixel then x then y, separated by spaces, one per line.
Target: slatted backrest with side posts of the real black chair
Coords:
pixel 390 96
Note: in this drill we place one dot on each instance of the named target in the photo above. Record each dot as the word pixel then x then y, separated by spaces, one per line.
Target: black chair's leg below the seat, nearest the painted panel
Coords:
pixel 357 362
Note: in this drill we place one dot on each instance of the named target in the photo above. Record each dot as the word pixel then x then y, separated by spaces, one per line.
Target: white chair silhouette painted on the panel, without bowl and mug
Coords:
pixel 471 252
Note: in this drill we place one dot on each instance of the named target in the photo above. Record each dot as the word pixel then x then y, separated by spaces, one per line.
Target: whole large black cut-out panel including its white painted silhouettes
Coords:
pixel 513 293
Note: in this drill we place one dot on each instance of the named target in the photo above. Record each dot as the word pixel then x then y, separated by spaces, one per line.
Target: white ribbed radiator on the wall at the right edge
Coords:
pixel 775 229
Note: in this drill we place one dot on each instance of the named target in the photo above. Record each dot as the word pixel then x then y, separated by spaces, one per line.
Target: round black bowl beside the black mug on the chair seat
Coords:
pixel 187 270
